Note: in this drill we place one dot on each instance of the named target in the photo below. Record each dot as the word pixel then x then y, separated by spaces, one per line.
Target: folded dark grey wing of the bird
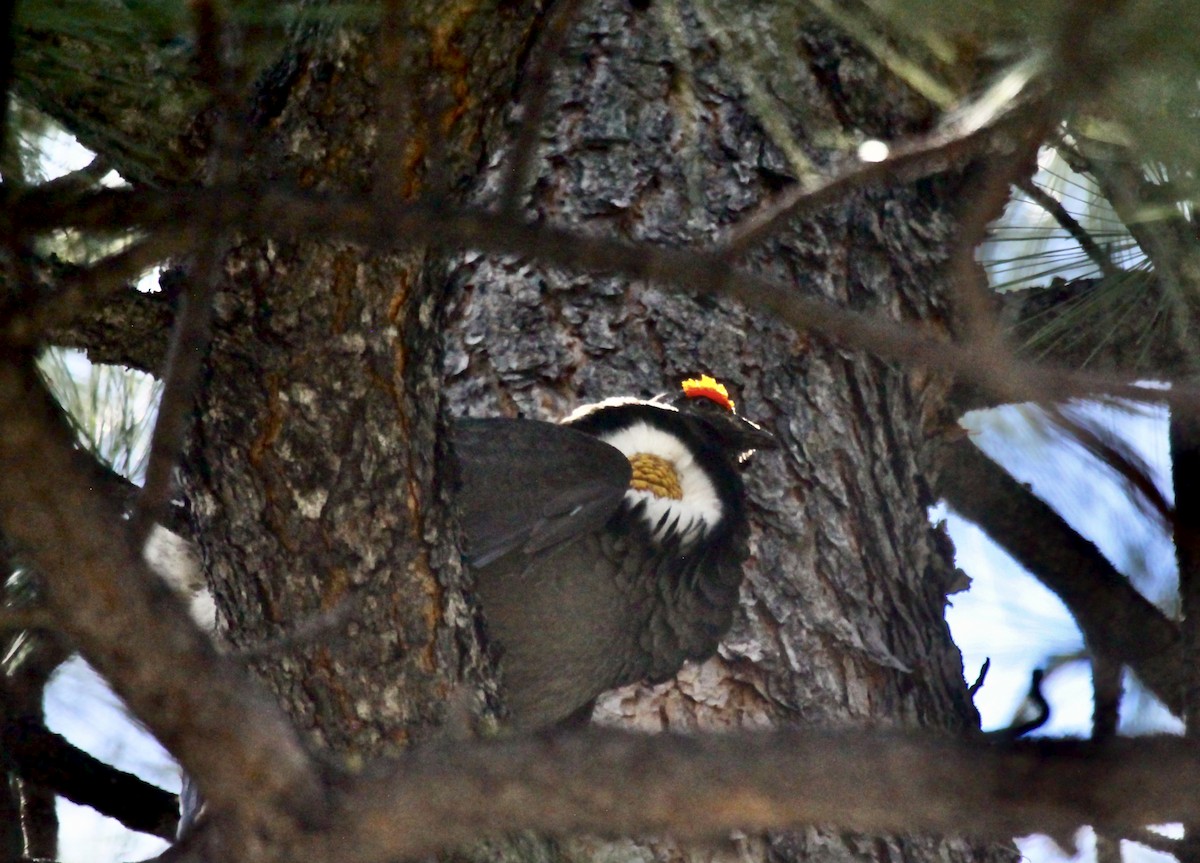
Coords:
pixel 530 486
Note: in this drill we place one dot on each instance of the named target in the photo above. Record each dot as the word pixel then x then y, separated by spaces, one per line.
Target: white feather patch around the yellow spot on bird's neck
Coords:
pixel 698 512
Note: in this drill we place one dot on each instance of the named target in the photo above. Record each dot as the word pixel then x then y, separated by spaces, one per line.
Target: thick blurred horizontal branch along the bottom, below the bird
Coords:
pixel 625 784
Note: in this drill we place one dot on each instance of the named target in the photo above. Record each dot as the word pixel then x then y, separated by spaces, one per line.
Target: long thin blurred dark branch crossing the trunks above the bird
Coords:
pixel 399 226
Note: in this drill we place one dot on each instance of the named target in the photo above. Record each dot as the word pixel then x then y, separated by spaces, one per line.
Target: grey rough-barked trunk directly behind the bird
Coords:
pixel 842 614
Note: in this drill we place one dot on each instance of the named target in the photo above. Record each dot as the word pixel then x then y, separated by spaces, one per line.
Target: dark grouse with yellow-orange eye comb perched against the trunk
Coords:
pixel 608 549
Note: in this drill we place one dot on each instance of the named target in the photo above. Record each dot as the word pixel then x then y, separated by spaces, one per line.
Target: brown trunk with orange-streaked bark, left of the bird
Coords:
pixel 313 474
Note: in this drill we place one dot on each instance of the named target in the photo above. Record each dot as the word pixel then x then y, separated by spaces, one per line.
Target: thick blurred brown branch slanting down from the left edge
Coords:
pixel 128 624
